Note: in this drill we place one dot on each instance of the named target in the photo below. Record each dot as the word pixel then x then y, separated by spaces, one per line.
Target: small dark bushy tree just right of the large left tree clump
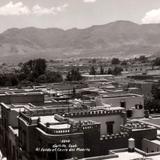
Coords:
pixel 74 75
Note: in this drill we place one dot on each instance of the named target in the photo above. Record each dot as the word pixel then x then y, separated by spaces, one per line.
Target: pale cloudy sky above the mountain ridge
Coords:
pixel 68 14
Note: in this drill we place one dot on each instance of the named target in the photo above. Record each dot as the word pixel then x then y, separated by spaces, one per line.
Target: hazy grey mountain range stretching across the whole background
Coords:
pixel 116 39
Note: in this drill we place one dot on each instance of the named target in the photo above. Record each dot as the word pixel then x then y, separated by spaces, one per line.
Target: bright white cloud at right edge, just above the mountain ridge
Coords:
pixel 152 16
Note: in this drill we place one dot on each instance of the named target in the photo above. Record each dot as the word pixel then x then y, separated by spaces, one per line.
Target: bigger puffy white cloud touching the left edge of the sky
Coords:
pixel 14 9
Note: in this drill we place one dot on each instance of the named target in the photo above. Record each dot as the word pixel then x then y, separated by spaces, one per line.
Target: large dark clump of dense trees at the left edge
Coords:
pixel 31 72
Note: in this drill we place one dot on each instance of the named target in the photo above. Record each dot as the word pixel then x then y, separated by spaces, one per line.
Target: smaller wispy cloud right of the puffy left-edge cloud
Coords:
pixel 39 10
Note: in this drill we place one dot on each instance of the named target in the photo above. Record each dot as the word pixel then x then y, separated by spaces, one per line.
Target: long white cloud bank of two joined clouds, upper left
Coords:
pixel 17 9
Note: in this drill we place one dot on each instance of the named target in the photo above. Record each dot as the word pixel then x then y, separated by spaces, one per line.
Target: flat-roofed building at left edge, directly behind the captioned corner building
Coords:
pixel 9 129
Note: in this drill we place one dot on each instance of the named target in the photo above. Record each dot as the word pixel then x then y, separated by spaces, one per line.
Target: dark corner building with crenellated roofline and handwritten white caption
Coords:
pixel 41 129
